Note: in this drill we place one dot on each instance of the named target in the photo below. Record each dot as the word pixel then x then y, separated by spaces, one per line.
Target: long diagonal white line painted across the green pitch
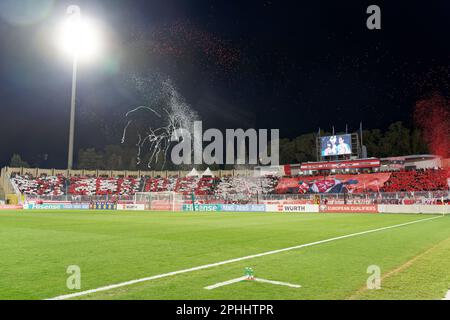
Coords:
pixel 206 266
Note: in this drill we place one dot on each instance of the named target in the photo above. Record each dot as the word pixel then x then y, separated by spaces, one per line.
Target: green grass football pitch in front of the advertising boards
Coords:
pixel 112 247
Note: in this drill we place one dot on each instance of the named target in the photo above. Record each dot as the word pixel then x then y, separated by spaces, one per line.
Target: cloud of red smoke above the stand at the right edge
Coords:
pixel 432 116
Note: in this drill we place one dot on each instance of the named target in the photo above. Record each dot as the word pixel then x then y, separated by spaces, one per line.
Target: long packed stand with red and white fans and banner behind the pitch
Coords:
pixel 233 186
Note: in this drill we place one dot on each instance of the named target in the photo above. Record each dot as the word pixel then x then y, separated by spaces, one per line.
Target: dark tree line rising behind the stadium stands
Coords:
pixel 397 140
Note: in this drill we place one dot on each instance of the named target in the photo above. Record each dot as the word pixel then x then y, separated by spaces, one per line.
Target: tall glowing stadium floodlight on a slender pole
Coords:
pixel 79 38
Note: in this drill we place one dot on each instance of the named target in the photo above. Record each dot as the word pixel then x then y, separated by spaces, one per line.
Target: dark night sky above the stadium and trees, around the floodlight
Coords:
pixel 296 66
